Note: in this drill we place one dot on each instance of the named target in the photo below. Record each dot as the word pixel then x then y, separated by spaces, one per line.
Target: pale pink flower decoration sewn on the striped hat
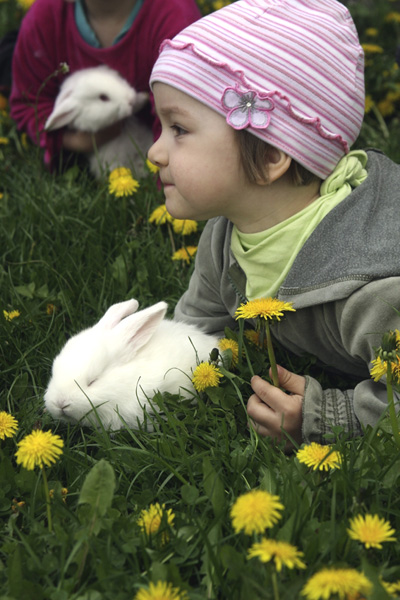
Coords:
pixel 247 108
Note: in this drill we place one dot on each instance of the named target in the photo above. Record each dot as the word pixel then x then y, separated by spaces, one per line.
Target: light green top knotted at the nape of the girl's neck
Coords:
pixel 267 256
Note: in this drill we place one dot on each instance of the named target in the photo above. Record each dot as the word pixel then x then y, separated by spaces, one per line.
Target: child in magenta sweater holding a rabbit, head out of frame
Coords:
pixel 123 34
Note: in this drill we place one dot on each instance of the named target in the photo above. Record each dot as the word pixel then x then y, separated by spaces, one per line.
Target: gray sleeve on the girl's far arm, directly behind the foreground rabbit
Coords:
pixel 210 300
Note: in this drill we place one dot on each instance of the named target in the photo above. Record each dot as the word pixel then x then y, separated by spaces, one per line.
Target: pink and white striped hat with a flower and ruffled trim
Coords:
pixel 289 71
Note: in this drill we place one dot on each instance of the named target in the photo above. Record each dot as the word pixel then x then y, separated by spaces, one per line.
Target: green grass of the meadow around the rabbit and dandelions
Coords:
pixel 64 241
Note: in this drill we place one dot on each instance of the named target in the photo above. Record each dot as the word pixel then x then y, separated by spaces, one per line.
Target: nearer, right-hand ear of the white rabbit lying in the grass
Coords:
pixel 135 331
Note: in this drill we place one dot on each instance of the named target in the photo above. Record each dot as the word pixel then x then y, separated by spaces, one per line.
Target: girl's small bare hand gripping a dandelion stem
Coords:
pixel 271 409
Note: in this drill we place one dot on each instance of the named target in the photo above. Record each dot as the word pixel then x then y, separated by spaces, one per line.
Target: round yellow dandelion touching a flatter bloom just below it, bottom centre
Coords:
pixel 255 511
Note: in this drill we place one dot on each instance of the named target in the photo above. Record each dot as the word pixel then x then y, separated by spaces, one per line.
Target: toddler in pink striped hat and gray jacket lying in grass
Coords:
pixel 259 104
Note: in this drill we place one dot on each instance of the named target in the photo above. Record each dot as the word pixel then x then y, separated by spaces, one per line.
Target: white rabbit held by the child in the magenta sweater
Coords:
pixel 94 98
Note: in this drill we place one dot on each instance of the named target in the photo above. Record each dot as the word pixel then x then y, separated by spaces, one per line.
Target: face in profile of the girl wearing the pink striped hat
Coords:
pixel 198 157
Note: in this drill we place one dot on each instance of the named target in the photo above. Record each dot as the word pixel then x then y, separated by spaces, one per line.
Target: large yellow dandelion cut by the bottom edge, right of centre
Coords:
pixel 343 582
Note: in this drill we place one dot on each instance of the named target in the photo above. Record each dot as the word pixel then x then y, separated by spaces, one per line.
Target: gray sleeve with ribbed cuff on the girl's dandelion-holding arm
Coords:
pixel 362 319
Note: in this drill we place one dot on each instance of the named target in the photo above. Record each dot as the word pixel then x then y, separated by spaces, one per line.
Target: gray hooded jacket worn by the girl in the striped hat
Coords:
pixel 344 285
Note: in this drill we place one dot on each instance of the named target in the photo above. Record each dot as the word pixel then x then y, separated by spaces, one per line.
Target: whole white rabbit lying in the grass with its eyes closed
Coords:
pixel 119 363
